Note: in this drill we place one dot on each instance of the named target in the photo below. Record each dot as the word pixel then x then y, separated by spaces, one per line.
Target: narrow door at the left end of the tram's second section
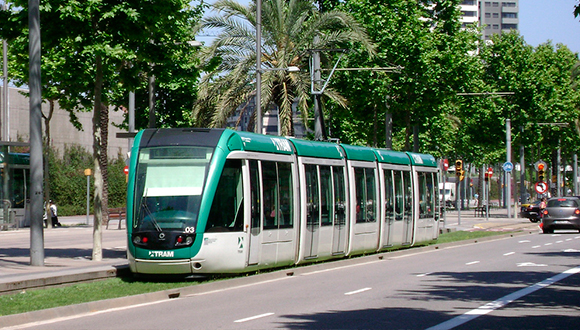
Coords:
pixel 312 211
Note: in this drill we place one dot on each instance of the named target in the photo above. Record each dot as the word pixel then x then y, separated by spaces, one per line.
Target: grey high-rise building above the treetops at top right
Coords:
pixel 495 17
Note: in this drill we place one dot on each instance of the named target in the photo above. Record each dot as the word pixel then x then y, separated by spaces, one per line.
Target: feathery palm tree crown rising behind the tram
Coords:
pixel 289 28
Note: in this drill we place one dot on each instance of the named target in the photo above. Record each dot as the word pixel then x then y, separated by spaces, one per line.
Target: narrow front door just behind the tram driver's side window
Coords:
pixel 255 227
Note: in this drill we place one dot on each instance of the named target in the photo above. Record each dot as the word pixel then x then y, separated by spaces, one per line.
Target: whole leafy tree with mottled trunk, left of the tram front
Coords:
pixel 108 51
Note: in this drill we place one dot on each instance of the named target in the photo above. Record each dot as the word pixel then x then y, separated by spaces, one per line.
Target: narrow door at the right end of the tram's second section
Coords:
pixel 339 227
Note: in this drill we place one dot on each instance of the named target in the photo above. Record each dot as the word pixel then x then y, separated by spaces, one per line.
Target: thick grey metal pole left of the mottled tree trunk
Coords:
pixel 36 176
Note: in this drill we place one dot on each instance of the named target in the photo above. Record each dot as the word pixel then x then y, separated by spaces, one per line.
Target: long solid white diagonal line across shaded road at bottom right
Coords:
pixel 501 302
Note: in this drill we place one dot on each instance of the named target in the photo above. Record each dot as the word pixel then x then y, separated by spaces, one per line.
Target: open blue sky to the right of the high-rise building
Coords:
pixel 543 20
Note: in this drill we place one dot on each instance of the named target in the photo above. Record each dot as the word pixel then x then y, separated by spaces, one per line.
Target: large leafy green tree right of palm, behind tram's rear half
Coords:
pixel 424 41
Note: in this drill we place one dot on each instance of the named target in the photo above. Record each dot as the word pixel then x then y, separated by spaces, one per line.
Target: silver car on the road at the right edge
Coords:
pixel 561 213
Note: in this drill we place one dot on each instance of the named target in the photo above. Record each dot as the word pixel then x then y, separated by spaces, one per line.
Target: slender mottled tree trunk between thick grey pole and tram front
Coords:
pixel 98 198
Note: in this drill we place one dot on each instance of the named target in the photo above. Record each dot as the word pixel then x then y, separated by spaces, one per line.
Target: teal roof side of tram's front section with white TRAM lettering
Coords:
pixel 247 141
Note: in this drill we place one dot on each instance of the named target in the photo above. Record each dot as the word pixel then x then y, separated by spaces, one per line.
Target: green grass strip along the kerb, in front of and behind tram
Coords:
pixel 38 299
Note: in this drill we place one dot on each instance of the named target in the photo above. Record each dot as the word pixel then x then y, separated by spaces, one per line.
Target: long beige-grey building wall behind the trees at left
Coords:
pixel 62 132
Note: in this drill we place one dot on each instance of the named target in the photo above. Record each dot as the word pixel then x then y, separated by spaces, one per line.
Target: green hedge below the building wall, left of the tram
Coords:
pixel 68 184
